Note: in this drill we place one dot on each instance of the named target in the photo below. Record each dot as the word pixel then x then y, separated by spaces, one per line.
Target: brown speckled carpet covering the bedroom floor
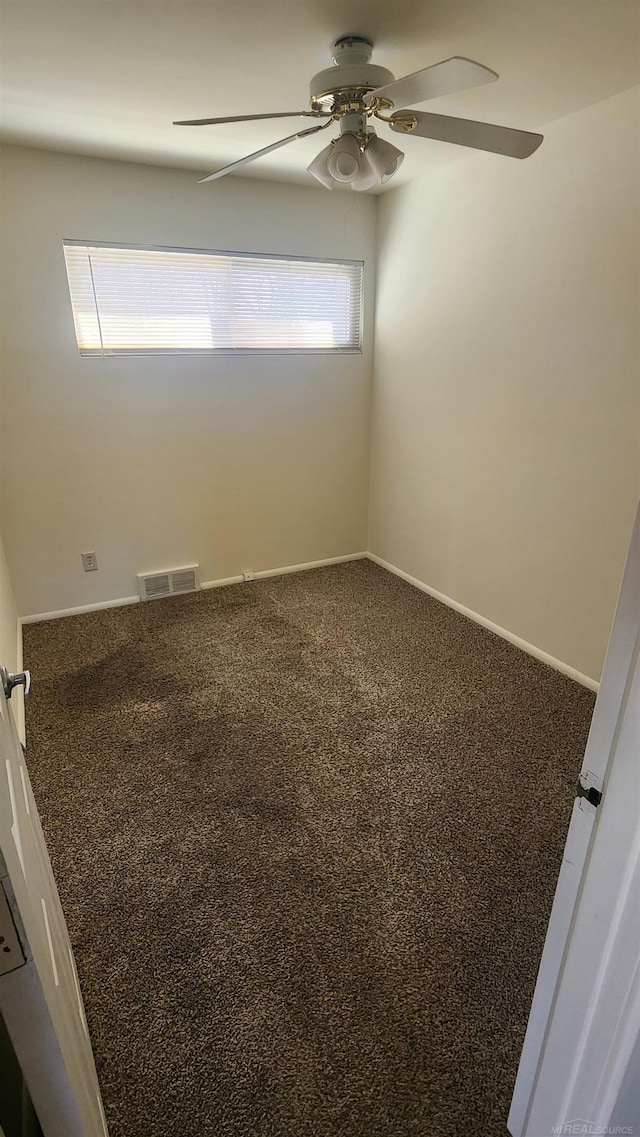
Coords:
pixel 306 833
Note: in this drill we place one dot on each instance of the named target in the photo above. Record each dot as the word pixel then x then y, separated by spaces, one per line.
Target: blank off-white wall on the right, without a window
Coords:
pixel 505 458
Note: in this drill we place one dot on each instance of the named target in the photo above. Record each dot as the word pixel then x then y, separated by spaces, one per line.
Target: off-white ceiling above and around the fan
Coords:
pixel 107 78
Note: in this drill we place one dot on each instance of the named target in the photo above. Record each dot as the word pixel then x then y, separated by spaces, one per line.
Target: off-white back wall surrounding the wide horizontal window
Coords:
pixel 234 463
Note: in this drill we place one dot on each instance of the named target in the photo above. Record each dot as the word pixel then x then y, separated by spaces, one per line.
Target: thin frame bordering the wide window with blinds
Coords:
pixel 134 353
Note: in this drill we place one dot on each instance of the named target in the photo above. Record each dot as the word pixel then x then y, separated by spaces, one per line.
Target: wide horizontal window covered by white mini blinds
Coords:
pixel 163 302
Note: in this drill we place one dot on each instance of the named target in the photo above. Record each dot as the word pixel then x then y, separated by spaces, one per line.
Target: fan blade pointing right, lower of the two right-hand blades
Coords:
pixel 466 132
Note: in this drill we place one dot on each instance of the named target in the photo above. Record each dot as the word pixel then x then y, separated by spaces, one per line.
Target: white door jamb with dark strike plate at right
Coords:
pixel 584 1036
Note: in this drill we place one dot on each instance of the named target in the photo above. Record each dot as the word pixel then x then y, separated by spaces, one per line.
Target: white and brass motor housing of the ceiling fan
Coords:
pixel 351 78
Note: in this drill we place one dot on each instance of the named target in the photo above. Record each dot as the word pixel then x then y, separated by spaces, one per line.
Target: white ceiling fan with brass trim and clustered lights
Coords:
pixel 354 92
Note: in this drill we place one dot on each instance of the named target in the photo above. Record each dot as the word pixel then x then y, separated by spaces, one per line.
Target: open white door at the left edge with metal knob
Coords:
pixel 40 998
